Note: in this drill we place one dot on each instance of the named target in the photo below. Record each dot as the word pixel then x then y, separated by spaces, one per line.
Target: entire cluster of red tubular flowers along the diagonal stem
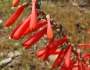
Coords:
pixel 68 57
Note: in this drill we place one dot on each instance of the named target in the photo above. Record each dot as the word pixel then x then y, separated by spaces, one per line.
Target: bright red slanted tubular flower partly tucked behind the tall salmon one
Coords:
pixel 20 31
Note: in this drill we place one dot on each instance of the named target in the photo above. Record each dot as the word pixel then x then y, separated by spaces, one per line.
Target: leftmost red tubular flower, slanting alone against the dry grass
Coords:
pixel 15 16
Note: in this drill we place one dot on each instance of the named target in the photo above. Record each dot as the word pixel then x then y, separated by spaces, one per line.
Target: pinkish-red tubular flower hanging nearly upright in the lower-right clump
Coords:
pixel 68 57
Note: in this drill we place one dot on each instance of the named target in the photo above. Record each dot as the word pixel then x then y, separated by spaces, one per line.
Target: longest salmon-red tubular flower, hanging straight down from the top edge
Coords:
pixel 34 19
